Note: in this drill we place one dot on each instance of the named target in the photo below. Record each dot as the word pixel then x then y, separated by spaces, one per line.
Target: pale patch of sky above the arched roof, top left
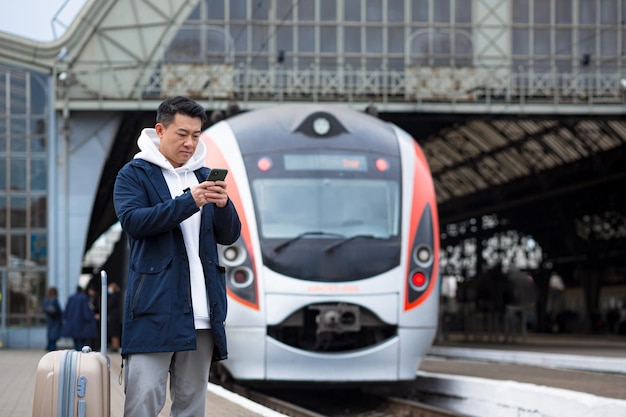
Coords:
pixel 33 19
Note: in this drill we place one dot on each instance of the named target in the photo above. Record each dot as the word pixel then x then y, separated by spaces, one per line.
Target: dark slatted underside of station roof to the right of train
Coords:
pixel 560 179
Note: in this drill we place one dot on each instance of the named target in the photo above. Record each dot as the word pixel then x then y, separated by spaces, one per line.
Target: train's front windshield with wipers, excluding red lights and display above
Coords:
pixel 351 224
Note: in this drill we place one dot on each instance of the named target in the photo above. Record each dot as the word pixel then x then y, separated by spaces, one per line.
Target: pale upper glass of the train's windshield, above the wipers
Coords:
pixel 330 207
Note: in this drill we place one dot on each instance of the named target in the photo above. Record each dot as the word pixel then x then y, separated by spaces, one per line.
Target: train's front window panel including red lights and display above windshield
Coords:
pixel 327 217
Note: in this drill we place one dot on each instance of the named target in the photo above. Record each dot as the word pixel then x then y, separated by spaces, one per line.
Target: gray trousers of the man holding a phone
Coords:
pixel 145 380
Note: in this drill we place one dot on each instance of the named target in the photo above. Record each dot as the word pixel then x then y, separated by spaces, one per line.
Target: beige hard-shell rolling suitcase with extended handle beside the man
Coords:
pixel 75 384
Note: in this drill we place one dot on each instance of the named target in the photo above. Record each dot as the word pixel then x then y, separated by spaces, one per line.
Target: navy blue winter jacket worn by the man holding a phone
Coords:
pixel 158 314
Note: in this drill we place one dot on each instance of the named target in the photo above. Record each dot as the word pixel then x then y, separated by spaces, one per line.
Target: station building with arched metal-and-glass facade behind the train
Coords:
pixel 518 104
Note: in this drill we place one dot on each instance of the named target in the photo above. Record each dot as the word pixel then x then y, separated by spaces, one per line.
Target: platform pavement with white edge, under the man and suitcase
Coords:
pixel 17 384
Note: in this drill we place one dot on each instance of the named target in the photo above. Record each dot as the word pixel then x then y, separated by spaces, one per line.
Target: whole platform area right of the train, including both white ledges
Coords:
pixel 544 375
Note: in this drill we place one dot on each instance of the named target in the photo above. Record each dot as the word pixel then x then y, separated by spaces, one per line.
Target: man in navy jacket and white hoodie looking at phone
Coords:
pixel 175 303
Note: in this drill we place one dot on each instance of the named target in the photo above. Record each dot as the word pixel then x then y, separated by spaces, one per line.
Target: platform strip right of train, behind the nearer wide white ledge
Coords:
pixel 592 364
